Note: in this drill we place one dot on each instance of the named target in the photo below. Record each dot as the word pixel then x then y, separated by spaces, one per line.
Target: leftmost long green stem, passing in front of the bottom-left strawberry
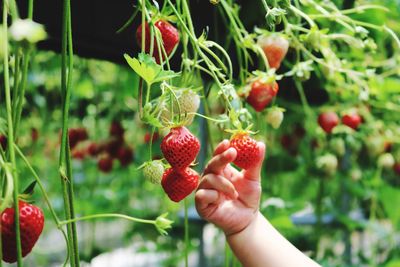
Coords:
pixel 11 134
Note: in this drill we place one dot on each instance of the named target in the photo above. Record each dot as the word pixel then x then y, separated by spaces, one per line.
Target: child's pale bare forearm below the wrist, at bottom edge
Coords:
pixel 260 244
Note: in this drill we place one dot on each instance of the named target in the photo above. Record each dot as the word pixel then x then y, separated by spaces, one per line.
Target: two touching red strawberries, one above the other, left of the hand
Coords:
pixel 180 148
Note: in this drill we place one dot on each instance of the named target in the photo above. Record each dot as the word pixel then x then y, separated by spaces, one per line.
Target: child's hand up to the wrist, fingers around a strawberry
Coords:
pixel 226 197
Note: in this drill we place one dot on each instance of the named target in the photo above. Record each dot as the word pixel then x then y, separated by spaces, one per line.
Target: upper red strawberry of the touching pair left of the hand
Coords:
pixel 180 148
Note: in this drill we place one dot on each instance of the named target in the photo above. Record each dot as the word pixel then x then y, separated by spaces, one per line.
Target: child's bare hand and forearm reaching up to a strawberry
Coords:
pixel 230 199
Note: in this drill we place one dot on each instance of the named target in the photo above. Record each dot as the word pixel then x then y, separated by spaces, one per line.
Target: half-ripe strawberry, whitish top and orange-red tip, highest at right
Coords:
pixel 275 48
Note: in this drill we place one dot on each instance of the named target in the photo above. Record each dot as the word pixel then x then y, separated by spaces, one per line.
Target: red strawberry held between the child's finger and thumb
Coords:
pixel 247 150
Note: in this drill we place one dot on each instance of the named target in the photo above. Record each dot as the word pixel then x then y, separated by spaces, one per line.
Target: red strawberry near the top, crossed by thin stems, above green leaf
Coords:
pixel 169 35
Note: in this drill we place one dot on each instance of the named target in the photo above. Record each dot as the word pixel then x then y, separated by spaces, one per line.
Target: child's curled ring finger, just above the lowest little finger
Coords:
pixel 218 183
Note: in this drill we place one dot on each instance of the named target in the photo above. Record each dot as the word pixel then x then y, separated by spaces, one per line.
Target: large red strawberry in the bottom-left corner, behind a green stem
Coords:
pixel 31 226
